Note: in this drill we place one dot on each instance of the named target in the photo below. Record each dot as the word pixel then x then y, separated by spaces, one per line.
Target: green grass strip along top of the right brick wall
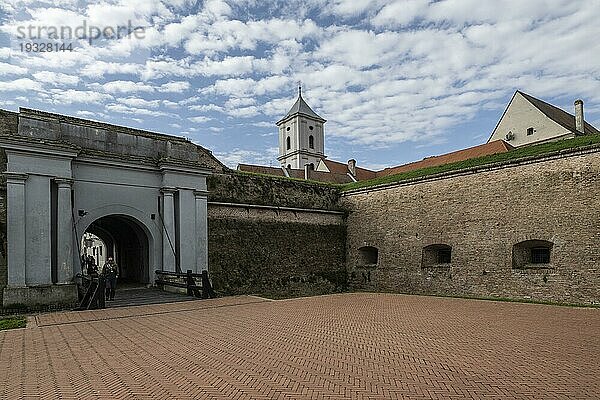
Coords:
pixel 520 153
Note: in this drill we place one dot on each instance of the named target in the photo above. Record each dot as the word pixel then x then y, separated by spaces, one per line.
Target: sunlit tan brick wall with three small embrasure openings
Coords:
pixel 481 215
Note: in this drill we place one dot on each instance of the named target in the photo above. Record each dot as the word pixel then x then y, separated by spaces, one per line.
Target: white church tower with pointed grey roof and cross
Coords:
pixel 301 136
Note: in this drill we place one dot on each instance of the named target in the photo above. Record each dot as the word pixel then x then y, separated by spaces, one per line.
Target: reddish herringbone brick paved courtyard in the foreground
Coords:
pixel 373 346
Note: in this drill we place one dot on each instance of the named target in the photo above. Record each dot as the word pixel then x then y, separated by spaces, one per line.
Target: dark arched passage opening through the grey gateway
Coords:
pixel 124 239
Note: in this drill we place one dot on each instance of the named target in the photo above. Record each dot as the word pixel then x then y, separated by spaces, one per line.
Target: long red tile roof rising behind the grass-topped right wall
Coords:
pixel 495 147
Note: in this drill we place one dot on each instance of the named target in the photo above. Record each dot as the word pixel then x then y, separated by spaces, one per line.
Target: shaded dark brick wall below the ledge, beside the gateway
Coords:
pixel 275 251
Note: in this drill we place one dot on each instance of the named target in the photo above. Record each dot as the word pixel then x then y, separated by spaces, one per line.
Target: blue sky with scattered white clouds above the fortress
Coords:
pixel 396 80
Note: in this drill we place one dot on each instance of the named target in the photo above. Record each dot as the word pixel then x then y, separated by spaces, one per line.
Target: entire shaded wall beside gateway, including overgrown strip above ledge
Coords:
pixel 272 243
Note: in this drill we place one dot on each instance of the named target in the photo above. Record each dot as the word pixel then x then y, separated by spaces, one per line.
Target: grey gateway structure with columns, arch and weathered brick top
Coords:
pixel 142 193
